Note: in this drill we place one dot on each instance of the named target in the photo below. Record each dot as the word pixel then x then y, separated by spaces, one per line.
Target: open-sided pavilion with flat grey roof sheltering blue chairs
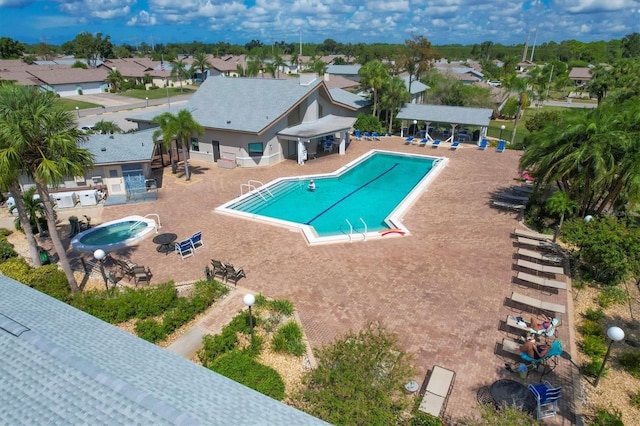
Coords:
pixel 455 116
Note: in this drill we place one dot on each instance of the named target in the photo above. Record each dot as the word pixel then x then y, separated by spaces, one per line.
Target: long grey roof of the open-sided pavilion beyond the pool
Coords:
pixel 446 114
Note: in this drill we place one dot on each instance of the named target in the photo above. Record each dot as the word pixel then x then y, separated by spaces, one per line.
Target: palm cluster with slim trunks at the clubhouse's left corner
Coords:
pixel 180 127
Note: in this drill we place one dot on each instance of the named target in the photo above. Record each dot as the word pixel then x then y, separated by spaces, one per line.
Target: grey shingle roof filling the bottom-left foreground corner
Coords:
pixel 62 366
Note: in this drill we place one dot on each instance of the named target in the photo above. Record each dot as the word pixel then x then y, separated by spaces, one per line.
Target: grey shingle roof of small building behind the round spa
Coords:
pixel 121 148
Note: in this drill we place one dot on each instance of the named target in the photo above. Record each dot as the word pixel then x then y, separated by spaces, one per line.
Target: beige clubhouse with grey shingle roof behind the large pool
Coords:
pixel 253 122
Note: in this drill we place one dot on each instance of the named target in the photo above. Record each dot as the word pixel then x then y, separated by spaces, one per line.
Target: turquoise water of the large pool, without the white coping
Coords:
pixel 369 190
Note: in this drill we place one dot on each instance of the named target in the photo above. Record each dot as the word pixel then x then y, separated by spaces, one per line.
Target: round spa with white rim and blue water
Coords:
pixel 114 235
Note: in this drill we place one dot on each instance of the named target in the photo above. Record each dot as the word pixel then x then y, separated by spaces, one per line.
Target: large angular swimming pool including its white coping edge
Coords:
pixel 364 199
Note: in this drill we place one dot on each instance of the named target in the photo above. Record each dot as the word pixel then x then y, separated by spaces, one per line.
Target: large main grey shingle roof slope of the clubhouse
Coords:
pixel 243 104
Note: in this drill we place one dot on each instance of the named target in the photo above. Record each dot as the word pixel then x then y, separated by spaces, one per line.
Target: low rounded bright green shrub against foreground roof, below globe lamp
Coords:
pixel 241 367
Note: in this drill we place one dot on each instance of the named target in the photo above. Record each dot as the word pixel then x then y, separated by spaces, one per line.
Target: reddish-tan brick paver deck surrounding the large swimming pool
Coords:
pixel 442 289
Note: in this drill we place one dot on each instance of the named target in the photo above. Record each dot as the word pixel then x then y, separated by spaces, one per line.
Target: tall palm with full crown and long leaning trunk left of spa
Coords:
pixel 43 143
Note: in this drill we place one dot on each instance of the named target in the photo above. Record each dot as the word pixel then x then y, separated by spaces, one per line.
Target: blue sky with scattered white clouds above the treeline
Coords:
pixel 346 21
